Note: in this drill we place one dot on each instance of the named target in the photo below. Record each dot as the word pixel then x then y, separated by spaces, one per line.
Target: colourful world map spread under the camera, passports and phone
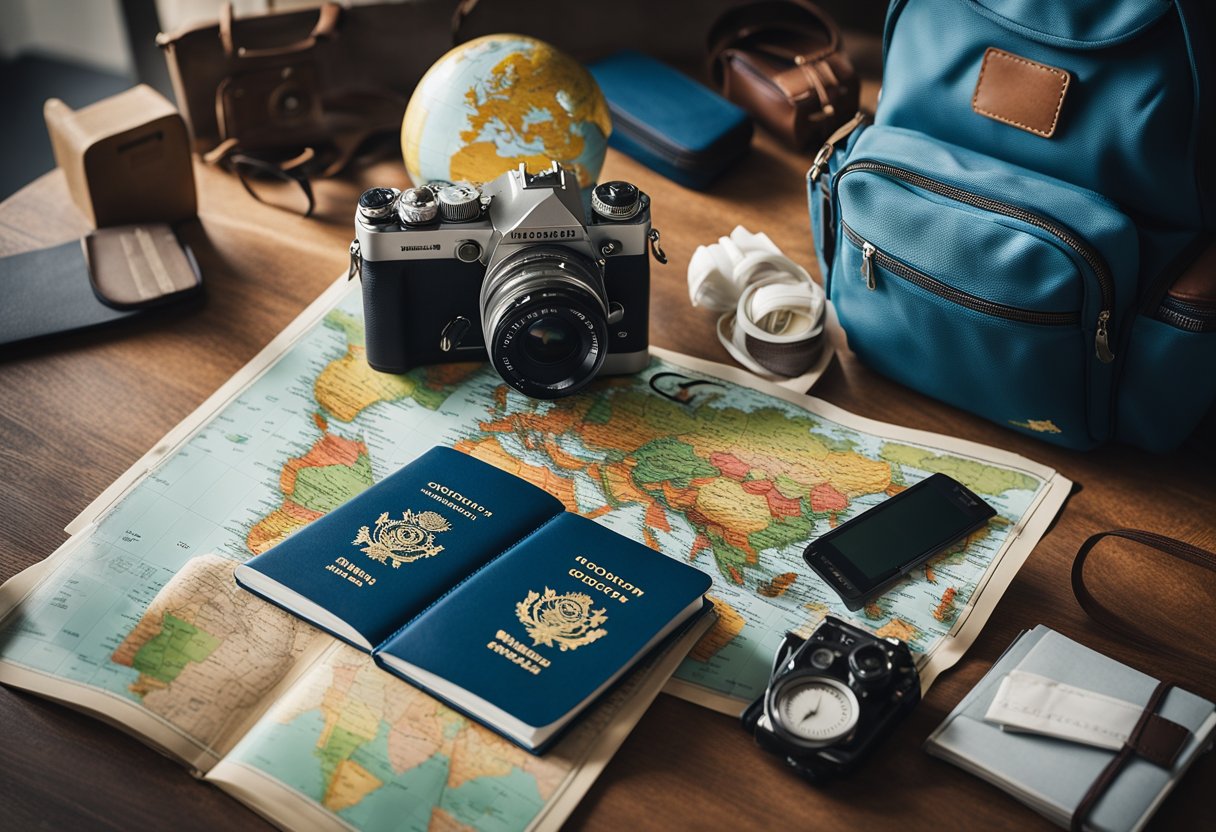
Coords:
pixel 730 479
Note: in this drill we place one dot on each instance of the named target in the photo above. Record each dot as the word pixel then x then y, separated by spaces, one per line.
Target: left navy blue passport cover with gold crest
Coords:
pixel 380 559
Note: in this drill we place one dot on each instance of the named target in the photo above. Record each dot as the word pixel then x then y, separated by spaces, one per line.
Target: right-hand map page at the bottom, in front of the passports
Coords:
pixel 385 756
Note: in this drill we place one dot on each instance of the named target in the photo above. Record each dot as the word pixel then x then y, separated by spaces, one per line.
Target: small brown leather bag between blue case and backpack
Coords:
pixel 781 61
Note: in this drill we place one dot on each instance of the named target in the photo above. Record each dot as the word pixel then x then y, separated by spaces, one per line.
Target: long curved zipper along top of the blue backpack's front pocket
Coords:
pixel 1106 284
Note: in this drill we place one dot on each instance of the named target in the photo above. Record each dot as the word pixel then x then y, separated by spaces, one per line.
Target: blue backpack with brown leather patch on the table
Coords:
pixel 1026 232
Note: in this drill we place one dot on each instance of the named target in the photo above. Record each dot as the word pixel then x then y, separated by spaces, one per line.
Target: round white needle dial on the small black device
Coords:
pixel 813 711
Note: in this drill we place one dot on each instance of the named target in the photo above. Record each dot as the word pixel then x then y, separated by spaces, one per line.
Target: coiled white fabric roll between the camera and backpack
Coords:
pixel 773 322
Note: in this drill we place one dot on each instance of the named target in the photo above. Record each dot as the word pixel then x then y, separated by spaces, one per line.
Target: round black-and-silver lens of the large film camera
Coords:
pixel 545 321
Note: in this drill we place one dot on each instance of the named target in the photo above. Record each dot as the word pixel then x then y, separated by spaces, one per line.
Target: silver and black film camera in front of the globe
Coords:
pixel 523 272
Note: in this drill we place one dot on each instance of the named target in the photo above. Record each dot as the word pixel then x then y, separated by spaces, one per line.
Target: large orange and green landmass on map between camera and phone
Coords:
pixel 746 480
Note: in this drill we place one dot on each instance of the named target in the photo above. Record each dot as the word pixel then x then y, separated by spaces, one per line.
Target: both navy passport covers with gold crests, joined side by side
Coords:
pixel 480 588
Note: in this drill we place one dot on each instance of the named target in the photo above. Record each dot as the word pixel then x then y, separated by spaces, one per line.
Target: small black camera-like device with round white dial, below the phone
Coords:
pixel 834 698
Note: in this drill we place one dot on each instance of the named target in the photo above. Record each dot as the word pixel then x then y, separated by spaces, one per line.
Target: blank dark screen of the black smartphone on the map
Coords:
pixel 898 531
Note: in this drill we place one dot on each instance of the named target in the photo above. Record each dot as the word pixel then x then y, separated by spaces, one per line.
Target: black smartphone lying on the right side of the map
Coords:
pixel 868 554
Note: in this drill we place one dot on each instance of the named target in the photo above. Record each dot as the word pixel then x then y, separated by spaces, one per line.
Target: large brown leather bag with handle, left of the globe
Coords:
pixel 322 78
